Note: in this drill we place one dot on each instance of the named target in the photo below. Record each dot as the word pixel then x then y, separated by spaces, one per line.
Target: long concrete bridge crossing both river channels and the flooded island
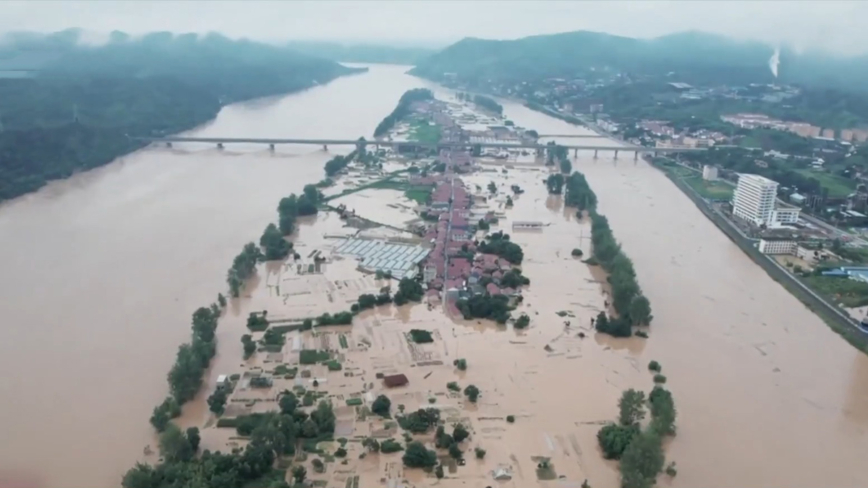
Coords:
pixel 221 141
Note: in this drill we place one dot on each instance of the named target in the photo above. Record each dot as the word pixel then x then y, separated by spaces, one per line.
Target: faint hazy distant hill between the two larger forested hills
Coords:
pixel 362 53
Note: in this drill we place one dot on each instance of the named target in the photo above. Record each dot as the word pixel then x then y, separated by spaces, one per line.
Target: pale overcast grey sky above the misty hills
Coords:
pixel 830 25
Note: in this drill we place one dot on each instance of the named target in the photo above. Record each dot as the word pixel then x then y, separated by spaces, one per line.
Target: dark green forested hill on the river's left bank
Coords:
pixel 74 111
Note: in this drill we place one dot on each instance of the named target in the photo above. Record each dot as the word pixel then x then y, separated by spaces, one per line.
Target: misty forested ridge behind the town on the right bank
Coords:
pixel 691 57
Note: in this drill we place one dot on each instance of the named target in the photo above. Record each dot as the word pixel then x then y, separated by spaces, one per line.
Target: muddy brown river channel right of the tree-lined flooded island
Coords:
pixel 767 394
